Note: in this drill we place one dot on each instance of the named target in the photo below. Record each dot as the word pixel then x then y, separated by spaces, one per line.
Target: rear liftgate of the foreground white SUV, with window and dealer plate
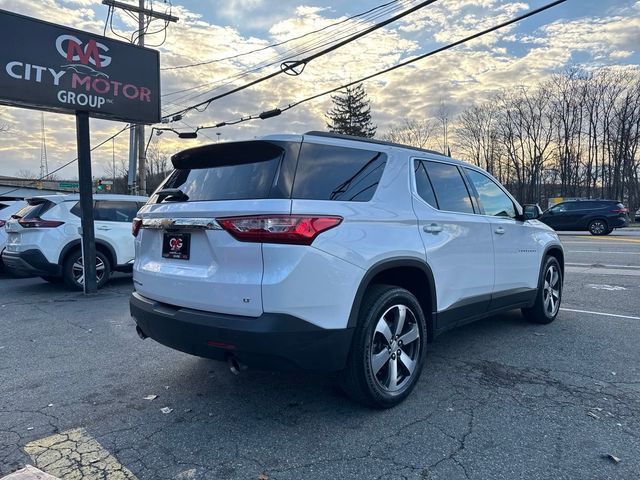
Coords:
pixel 184 257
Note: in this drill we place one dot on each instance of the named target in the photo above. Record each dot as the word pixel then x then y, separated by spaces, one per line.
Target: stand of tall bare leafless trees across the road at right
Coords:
pixel 576 135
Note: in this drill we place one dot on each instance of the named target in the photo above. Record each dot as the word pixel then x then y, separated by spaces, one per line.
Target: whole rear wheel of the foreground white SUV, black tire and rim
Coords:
pixel 384 303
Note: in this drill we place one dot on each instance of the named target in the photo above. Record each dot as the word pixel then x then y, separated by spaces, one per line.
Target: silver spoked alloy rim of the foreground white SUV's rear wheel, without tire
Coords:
pixel 395 348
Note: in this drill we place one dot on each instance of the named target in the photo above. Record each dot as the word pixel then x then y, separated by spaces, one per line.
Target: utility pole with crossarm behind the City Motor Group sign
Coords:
pixel 138 135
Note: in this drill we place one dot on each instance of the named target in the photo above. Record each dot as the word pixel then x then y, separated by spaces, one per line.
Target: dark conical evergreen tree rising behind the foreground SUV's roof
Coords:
pixel 351 113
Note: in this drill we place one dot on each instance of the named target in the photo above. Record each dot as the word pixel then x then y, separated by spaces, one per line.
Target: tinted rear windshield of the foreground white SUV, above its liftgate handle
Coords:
pixel 234 172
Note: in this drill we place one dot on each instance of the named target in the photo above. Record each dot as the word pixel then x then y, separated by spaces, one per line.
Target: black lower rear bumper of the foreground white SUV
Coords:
pixel 271 341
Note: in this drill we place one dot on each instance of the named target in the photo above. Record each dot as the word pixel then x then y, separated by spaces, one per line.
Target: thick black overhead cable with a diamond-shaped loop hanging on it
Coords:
pixel 291 67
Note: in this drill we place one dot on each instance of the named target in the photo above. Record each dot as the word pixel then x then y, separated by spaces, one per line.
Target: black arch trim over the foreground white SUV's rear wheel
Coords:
pixel 409 273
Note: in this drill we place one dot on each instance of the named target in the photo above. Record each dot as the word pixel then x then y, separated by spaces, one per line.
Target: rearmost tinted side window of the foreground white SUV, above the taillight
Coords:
pixel 327 172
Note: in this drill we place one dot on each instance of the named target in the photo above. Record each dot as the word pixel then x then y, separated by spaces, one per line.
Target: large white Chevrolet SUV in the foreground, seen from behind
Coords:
pixel 334 253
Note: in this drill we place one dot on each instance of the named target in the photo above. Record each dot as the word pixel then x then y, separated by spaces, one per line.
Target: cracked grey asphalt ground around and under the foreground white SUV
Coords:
pixel 83 397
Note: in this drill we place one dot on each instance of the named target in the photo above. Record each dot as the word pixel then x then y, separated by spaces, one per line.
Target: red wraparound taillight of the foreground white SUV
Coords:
pixel 290 229
